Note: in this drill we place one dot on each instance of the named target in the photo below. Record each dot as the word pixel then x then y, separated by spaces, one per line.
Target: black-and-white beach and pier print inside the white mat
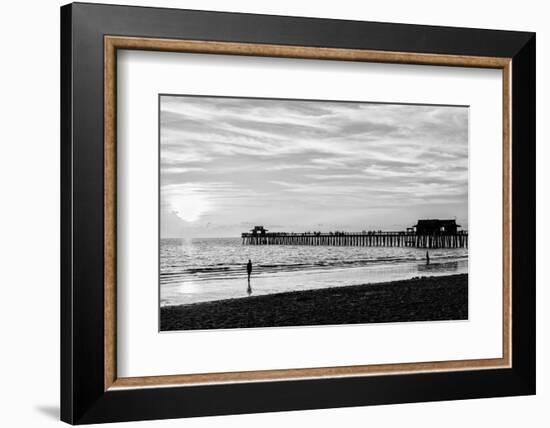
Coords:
pixel 282 212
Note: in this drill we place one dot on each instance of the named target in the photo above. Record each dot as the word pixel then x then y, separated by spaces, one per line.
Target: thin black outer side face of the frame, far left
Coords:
pixel 66 315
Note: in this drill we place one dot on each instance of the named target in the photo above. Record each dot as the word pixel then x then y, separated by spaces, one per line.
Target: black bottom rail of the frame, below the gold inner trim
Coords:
pixel 168 403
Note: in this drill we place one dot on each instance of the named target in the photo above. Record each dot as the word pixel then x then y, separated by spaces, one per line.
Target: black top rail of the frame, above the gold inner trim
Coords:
pixel 133 21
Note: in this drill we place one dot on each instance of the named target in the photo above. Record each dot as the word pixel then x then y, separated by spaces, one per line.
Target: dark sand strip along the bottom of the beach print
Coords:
pixel 418 299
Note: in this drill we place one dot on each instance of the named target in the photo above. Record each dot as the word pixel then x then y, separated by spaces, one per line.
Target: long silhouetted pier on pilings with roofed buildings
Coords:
pixel 435 234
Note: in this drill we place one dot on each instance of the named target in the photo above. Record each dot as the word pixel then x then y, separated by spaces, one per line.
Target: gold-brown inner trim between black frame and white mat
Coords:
pixel 113 43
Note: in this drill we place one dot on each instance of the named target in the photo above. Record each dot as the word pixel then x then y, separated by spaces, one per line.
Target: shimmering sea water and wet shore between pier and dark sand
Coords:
pixel 200 270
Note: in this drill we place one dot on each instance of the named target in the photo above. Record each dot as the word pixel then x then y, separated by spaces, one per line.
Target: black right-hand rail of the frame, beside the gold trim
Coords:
pixel 524 213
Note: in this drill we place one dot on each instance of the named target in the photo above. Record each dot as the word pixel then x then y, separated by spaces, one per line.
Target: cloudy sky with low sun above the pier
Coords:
pixel 231 163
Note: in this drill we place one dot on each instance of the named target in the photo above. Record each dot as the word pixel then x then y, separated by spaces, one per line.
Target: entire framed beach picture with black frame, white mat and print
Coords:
pixel 266 213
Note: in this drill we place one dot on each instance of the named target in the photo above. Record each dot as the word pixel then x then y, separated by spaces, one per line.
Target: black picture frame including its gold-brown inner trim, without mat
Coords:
pixel 91 391
